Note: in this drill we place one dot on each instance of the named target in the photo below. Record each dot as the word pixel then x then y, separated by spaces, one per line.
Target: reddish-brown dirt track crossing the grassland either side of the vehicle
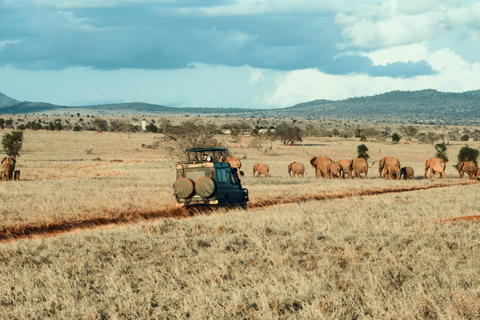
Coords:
pixel 52 230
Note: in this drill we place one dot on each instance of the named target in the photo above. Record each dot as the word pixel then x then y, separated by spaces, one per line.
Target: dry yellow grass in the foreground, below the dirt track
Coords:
pixel 370 257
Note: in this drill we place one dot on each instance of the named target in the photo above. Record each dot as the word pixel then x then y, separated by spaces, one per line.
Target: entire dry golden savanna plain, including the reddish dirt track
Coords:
pixel 369 249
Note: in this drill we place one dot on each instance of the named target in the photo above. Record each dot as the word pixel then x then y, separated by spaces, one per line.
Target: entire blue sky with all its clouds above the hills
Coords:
pixel 234 53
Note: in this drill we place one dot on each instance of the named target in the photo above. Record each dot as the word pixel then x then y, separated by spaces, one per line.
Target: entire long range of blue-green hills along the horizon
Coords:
pixel 424 106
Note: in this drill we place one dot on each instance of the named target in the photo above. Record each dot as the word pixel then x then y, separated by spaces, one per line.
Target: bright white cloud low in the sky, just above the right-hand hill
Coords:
pixel 454 74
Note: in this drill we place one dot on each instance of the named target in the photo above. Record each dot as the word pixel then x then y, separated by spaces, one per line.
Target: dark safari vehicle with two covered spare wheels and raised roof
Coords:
pixel 204 181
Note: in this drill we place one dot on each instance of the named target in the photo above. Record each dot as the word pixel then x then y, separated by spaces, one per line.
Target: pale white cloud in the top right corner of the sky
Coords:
pixel 397 23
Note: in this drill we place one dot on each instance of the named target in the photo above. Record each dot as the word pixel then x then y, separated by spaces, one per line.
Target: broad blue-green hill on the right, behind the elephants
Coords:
pixel 424 106
